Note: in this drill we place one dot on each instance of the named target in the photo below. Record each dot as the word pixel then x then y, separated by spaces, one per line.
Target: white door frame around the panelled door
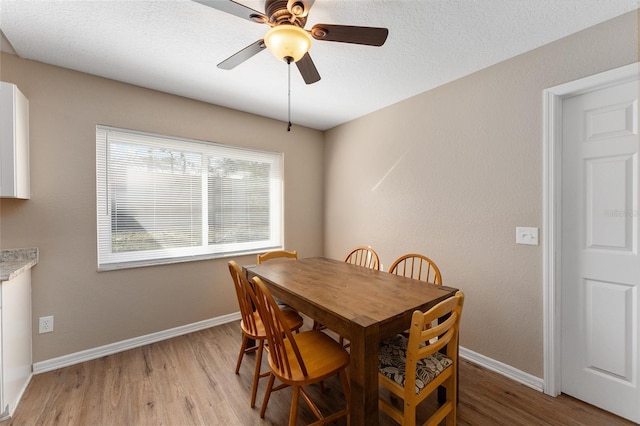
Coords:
pixel 551 223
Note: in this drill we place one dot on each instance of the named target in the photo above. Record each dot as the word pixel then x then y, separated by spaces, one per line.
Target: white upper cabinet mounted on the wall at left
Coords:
pixel 14 143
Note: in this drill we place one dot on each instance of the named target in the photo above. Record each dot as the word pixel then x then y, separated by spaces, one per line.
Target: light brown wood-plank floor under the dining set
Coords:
pixel 190 380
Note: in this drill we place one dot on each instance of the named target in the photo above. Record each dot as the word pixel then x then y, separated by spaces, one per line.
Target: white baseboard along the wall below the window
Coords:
pixel 112 348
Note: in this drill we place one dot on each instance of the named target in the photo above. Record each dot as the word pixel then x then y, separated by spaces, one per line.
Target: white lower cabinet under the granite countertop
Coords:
pixel 15 341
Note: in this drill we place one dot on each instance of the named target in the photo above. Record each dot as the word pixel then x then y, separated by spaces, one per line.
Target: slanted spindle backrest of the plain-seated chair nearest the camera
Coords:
pixel 277 331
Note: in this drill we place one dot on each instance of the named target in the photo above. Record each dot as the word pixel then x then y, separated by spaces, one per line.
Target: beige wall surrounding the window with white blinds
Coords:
pixel 93 309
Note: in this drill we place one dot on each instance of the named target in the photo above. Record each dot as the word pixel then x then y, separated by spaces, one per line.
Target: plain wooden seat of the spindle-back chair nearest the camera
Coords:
pixel 322 355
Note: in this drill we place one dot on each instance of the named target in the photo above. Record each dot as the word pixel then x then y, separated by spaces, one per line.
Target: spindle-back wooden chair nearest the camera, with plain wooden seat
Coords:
pixel 299 360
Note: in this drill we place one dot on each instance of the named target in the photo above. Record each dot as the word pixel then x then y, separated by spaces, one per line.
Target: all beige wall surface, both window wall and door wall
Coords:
pixel 449 173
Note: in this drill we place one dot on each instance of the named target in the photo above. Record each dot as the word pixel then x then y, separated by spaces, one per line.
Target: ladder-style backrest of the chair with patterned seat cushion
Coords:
pixel 424 341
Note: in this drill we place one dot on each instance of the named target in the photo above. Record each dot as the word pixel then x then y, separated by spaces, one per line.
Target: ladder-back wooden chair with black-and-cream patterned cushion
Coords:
pixel 411 369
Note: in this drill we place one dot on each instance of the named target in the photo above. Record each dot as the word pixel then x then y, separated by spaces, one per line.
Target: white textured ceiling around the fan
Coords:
pixel 174 46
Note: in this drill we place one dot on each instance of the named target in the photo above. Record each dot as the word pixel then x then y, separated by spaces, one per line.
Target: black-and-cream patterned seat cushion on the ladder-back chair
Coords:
pixel 392 358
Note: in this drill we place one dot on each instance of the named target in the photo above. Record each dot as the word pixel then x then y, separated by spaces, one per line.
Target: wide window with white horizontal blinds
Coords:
pixel 162 199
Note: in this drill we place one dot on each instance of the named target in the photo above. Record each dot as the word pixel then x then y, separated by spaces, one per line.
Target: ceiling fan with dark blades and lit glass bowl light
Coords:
pixel 287 39
